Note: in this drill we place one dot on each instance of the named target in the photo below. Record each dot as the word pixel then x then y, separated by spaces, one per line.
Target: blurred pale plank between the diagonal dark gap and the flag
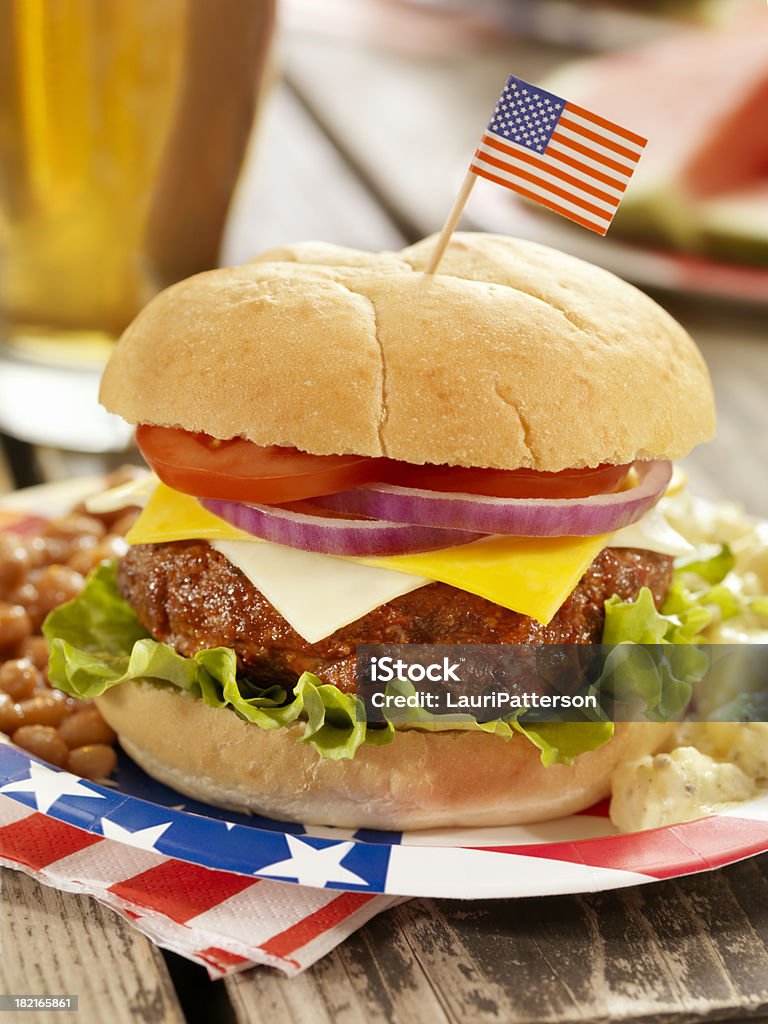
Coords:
pixel 410 124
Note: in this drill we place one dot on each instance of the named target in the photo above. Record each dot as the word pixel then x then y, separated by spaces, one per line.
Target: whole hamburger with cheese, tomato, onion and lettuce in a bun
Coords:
pixel 352 452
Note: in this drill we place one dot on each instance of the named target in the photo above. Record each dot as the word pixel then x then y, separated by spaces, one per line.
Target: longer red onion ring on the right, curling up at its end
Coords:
pixel 517 517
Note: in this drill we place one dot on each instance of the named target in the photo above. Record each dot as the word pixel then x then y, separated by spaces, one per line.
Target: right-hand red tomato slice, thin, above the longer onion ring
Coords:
pixel 508 483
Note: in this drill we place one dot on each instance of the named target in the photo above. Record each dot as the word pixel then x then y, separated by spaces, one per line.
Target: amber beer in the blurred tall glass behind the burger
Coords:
pixel 123 127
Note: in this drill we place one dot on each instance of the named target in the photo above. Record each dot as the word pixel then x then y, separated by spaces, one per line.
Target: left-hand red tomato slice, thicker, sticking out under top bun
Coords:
pixel 242 472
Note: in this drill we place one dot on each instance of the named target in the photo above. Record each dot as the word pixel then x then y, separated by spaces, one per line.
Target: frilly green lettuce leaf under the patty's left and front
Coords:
pixel 97 643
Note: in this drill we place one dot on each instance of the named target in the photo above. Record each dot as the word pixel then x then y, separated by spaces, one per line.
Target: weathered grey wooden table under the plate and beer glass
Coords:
pixel 345 157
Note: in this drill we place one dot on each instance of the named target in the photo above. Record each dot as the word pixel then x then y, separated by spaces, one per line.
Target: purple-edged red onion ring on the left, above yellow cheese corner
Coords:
pixel 331 536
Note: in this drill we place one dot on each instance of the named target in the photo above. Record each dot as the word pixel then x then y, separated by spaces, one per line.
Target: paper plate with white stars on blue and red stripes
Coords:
pixel 581 854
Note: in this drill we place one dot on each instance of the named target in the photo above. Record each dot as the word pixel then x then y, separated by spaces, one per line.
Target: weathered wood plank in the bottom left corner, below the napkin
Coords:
pixel 55 944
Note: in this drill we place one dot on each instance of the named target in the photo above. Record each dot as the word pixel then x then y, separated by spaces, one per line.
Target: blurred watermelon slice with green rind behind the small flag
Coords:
pixel 702 100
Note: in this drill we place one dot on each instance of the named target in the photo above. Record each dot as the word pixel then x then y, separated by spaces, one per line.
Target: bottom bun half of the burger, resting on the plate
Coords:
pixel 420 781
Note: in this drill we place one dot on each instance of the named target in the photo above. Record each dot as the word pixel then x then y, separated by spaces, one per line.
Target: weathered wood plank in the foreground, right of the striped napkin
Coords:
pixel 674 953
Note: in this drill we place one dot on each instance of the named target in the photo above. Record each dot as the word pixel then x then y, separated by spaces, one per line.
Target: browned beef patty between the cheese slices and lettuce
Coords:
pixel 190 596
